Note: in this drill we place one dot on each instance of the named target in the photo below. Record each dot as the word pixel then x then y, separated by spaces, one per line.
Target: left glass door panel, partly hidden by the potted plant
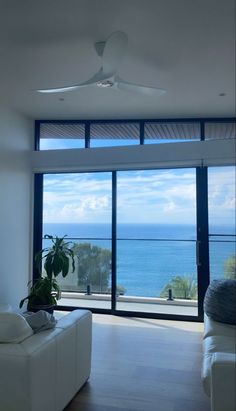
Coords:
pixel 79 206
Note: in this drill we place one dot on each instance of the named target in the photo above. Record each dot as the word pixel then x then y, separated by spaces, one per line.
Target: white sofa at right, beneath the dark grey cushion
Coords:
pixel 219 364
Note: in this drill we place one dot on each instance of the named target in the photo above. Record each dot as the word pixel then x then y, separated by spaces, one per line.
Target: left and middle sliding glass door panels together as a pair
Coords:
pixel 134 237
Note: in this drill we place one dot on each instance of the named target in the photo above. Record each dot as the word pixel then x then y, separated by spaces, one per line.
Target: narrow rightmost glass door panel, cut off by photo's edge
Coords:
pixel 222 238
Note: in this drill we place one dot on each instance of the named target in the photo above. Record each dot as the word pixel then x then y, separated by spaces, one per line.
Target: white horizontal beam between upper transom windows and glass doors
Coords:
pixel 189 154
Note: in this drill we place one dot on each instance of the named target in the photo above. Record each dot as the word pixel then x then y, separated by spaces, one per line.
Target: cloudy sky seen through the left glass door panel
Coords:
pixel 73 198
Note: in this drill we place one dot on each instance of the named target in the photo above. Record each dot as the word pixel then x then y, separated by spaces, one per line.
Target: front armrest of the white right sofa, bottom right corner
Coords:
pixel 223 382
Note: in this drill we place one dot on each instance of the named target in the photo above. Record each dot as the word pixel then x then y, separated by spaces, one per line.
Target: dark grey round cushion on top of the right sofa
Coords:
pixel 220 301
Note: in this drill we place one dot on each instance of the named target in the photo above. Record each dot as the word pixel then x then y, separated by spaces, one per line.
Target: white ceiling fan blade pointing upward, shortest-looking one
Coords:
pixel 113 52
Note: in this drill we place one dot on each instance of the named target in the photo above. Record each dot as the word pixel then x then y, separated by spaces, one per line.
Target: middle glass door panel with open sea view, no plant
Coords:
pixel 156 241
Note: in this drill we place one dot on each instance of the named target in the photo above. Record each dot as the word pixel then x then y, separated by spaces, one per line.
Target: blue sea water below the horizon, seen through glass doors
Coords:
pixel 149 255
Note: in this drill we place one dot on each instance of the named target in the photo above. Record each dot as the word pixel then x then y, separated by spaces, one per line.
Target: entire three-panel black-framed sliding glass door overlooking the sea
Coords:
pixel 141 237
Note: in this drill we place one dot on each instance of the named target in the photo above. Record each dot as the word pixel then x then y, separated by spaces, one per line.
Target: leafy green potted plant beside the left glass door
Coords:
pixel 45 290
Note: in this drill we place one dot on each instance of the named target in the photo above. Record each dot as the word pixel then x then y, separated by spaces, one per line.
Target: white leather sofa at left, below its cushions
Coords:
pixel 45 371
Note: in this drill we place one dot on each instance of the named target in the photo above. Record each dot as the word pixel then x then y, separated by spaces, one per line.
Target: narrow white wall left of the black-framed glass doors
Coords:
pixel 16 139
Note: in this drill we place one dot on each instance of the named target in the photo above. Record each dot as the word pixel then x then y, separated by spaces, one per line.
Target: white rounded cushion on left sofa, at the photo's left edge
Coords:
pixel 13 328
